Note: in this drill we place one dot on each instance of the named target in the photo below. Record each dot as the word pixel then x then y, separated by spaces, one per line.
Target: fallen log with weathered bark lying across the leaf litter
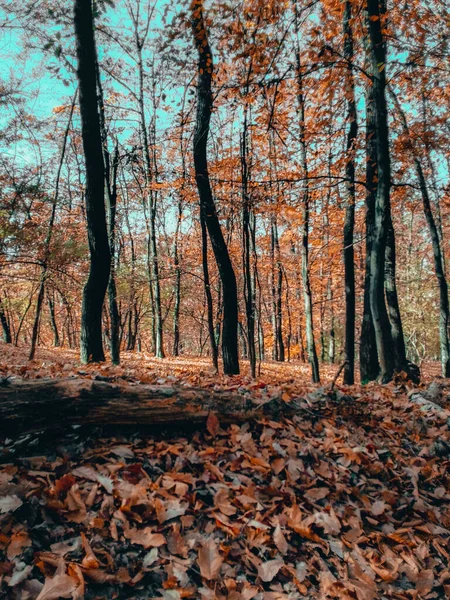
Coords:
pixel 56 404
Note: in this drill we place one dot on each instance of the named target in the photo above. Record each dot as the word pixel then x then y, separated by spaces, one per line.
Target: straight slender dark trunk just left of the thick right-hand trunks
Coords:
pixel 349 224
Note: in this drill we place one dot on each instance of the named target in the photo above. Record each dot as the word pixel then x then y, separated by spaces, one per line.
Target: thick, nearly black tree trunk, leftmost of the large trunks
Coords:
pixel 94 291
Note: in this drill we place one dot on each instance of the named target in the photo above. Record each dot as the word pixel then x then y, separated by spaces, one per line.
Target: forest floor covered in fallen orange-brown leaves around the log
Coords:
pixel 349 499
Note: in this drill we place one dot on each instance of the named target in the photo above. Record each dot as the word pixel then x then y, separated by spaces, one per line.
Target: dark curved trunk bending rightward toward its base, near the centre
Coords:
pixel 207 205
